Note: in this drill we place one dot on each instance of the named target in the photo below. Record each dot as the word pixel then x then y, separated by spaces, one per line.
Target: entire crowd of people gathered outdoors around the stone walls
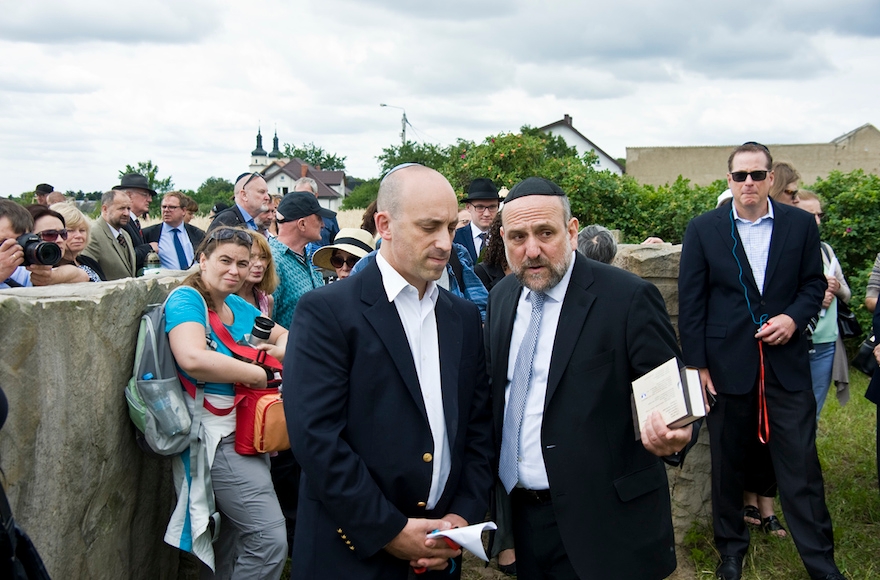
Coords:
pixel 426 387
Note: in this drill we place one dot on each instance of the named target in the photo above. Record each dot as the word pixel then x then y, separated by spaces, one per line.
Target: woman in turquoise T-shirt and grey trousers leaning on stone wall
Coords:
pixel 253 540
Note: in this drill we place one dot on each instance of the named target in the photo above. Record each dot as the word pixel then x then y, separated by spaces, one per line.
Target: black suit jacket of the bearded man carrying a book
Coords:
pixel 610 495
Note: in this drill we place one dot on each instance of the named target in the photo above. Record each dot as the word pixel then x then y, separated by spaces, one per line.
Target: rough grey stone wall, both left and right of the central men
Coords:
pixel 94 504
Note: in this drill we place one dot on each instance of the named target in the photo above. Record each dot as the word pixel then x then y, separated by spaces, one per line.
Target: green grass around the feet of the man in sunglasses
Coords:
pixel 846 443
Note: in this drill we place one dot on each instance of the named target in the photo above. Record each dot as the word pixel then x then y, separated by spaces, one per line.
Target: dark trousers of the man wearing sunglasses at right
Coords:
pixel 792 446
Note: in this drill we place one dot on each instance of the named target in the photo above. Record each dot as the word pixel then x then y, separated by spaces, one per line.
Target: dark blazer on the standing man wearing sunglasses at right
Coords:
pixel 717 331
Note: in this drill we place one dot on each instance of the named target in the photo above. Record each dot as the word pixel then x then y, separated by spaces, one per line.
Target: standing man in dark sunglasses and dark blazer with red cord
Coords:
pixel 750 281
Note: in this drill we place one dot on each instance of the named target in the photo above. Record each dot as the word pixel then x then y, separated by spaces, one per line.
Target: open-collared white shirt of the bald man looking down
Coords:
pixel 420 325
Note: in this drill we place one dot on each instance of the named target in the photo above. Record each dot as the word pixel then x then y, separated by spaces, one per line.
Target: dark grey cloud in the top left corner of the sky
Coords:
pixel 133 21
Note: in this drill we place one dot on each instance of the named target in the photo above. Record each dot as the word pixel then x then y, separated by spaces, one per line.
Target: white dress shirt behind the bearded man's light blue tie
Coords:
pixel 531 472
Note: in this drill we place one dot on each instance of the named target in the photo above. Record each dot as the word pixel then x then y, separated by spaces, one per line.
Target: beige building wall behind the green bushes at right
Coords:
pixel 858 149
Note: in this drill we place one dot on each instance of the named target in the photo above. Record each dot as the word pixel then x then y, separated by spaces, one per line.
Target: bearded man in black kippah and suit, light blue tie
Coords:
pixel 565 337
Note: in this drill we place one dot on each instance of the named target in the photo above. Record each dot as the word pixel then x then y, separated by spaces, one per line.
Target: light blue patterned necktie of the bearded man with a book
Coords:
pixel 519 393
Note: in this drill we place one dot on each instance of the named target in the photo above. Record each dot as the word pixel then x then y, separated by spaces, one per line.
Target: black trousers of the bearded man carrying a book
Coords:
pixel 540 554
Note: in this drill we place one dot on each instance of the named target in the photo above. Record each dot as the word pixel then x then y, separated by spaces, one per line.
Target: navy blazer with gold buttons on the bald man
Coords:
pixel 359 428
